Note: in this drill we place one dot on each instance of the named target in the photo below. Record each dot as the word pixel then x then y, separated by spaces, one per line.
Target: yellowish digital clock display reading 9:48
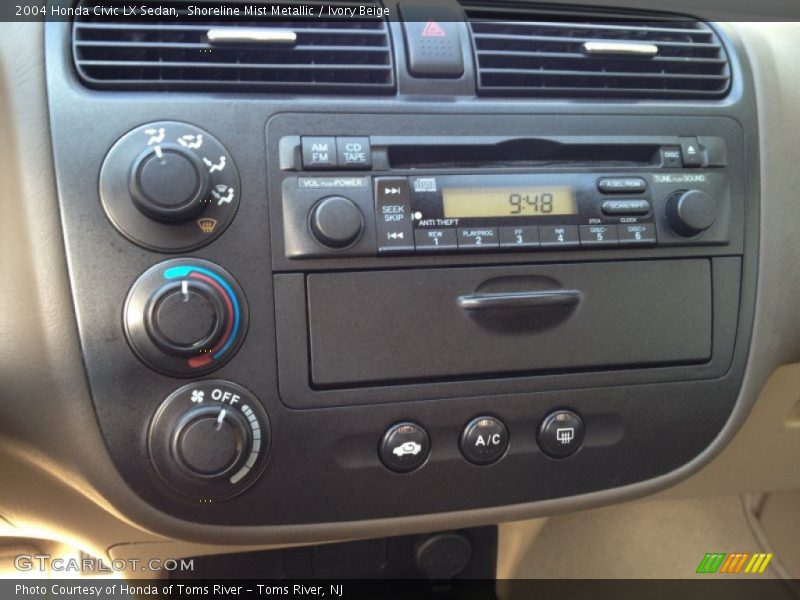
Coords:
pixel 538 201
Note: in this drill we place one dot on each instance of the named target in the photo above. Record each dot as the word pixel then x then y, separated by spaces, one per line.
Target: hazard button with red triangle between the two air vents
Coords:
pixel 433 42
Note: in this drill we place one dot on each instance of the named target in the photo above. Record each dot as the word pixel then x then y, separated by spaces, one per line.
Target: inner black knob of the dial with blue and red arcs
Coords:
pixel 185 317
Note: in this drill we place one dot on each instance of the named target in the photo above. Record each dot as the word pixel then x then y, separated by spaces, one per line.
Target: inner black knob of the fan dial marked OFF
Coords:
pixel 210 442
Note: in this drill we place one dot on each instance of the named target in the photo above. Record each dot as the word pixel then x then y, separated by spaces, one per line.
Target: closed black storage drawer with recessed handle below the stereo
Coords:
pixel 473 323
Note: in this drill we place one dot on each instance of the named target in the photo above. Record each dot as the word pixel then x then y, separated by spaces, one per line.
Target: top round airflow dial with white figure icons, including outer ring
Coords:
pixel 170 186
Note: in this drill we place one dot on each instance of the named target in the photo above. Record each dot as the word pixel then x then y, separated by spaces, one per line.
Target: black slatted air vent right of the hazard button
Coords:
pixel 522 52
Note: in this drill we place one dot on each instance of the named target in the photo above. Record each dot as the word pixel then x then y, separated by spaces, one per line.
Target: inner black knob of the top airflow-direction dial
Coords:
pixel 169 183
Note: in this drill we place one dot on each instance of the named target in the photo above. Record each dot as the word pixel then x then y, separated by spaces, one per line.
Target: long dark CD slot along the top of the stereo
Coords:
pixel 522 153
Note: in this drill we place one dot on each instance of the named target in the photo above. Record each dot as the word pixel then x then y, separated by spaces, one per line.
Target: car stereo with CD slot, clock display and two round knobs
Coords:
pixel 557 195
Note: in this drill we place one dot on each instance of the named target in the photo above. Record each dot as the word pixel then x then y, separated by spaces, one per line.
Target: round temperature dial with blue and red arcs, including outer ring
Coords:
pixel 185 317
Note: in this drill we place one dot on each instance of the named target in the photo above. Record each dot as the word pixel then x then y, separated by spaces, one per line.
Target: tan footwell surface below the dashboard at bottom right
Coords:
pixel 664 539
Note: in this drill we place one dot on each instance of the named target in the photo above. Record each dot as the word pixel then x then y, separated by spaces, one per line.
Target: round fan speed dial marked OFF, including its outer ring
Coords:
pixel 209 440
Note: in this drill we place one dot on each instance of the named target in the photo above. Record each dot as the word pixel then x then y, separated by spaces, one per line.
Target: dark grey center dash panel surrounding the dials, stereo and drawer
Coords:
pixel 338 345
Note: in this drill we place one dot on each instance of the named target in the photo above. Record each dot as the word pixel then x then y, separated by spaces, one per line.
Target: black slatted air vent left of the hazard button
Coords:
pixel 306 55
